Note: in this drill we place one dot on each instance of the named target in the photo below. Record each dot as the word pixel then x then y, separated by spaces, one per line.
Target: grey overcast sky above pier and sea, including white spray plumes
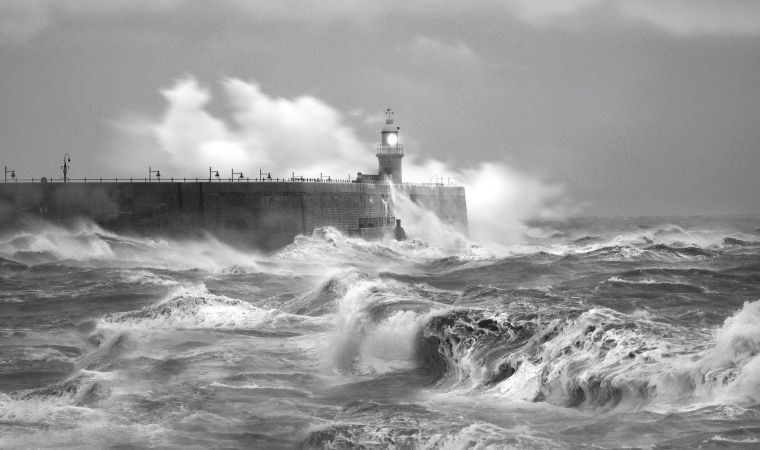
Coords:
pixel 540 108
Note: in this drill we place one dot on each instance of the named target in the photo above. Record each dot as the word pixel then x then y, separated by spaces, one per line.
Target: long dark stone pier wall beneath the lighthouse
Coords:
pixel 265 215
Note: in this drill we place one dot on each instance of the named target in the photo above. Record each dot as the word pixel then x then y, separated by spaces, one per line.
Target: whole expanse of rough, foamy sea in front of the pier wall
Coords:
pixel 589 332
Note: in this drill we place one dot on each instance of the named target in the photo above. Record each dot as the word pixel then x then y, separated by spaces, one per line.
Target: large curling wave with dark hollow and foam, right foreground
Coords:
pixel 599 359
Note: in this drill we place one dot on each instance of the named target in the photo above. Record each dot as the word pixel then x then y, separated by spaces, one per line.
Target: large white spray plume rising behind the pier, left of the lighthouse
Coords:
pixel 302 135
